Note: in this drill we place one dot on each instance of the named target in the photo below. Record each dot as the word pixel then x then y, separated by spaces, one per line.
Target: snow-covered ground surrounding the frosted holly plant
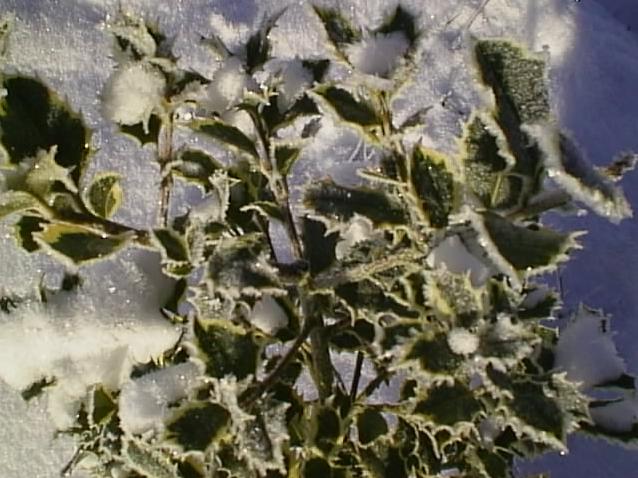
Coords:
pixel 594 70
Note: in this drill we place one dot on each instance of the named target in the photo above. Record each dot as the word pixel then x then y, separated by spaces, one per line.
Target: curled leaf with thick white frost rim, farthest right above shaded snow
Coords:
pixel 569 169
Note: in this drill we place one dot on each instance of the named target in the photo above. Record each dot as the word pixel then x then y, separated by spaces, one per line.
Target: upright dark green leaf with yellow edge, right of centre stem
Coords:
pixel 433 185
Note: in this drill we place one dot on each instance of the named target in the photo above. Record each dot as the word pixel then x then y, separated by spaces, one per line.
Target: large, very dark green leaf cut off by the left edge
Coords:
pixel 33 118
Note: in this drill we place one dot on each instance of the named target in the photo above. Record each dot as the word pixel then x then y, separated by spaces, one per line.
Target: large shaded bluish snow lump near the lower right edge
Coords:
pixel 586 350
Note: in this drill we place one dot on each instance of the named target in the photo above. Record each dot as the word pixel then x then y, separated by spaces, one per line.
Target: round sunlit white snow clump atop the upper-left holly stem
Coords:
pixel 133 93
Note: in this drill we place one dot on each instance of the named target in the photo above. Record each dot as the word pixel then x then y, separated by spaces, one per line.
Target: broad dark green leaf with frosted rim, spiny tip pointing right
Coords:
pixel 533 247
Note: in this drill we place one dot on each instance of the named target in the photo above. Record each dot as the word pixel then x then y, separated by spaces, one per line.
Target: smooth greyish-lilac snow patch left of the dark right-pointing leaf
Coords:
pixel 452 254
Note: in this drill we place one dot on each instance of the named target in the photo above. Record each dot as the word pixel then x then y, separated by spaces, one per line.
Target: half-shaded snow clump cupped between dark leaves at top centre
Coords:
pixel 379 54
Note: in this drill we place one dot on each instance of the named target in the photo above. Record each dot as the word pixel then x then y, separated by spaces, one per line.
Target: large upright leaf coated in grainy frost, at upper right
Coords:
pixel 518 80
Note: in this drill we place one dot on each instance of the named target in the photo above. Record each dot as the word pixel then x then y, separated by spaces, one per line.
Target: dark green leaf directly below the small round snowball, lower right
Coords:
pixel 449 404
